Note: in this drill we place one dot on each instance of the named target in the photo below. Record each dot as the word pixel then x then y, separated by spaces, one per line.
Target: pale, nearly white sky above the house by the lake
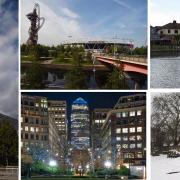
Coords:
pixel 163 12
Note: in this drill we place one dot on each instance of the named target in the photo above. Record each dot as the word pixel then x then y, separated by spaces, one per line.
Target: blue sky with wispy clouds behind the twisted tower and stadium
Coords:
pixel 127 19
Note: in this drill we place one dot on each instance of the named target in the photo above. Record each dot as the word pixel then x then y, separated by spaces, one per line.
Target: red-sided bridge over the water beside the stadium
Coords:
pixel 130 64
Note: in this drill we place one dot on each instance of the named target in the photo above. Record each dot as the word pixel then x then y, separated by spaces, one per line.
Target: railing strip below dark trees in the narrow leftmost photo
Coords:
pixel 9 173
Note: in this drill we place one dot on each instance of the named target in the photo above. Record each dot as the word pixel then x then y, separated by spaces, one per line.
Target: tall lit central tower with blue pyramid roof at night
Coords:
pixel 80 125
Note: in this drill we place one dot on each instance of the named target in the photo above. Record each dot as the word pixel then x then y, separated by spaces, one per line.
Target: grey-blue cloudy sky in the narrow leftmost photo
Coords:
pixel 9 57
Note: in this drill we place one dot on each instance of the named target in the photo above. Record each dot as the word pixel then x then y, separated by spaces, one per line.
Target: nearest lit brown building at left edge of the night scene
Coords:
pixel 37 129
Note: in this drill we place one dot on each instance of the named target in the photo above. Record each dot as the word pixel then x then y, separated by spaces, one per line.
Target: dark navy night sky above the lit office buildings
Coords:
pixel 94 99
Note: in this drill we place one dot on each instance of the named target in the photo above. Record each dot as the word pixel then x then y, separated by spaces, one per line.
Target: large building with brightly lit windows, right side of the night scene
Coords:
pixel 124 132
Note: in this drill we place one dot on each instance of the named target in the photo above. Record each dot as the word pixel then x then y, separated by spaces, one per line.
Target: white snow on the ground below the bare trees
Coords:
pixel 161 165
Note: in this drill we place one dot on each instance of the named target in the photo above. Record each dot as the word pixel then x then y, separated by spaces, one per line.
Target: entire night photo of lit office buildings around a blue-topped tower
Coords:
pixel 81 135
